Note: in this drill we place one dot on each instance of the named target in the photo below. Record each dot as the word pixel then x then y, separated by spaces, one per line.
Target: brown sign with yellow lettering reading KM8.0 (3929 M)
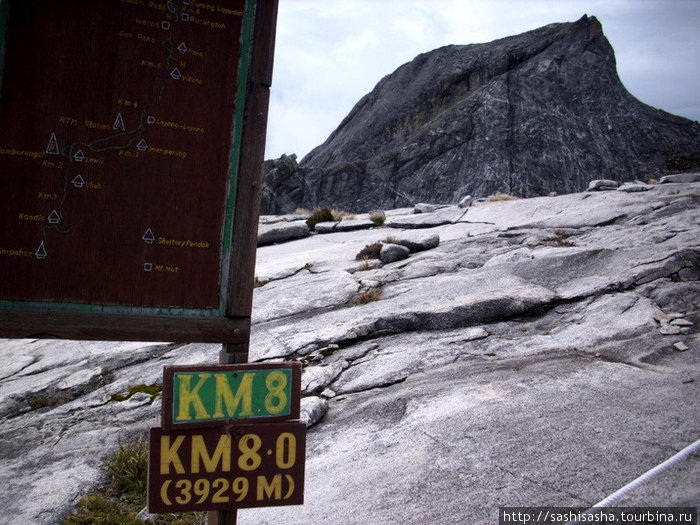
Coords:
pixel 219 469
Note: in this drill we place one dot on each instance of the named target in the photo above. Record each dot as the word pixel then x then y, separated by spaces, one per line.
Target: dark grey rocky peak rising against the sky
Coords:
pixel 538 112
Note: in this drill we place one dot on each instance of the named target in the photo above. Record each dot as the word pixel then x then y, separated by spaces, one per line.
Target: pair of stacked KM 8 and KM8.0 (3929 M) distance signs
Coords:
pixel 230 438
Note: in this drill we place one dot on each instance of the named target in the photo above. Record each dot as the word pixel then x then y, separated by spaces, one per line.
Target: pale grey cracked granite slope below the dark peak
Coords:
pixel 539 351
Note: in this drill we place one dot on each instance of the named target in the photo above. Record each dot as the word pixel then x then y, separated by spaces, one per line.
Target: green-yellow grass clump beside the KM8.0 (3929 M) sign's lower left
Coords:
pixel 125 496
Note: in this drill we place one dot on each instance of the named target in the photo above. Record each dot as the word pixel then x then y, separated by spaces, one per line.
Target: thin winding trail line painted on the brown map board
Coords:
pixel 70 153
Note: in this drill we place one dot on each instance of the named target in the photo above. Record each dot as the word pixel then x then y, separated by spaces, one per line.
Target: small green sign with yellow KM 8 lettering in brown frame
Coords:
pixel 200 396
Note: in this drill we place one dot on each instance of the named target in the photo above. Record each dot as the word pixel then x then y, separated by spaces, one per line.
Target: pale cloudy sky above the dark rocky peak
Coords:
pixel 329 53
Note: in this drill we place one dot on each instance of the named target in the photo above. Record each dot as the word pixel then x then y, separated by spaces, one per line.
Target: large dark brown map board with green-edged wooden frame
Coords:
pixel 125 199
